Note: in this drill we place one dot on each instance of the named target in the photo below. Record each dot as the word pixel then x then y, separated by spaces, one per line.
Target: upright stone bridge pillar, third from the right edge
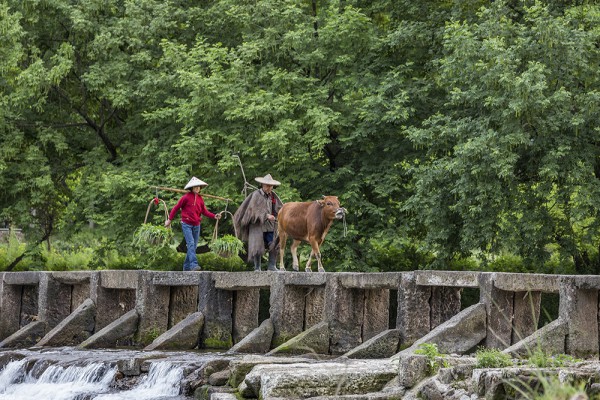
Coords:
pixel 413 309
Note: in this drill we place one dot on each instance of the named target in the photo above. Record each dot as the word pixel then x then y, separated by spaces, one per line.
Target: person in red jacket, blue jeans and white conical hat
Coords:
pixel 192 209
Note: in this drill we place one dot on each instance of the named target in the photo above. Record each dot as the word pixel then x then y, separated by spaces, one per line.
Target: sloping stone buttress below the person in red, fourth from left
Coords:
pixel 183 336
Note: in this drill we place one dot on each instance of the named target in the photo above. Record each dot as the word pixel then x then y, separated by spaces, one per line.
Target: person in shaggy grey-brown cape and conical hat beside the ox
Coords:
pixel 255 221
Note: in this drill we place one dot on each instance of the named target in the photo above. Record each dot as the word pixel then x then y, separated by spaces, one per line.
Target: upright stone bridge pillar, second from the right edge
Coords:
pixel 499 308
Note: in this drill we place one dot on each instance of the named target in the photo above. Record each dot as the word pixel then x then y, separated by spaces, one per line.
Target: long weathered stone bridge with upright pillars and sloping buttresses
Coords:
pixel 358 315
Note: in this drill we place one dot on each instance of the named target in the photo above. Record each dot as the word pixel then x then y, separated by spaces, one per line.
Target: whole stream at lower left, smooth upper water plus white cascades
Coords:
pixel 71 374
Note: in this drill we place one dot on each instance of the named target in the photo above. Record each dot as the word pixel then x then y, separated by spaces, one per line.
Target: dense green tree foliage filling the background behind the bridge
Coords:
pixel 458 134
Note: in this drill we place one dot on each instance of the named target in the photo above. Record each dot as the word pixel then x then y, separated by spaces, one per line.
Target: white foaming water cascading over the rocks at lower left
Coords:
pixel 89 381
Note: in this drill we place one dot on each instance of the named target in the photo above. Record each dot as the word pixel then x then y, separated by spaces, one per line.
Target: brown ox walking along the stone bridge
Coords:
pixel 307 221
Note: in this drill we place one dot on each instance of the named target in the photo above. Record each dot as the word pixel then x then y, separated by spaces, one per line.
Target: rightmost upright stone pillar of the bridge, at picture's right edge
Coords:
pixel 579 307
